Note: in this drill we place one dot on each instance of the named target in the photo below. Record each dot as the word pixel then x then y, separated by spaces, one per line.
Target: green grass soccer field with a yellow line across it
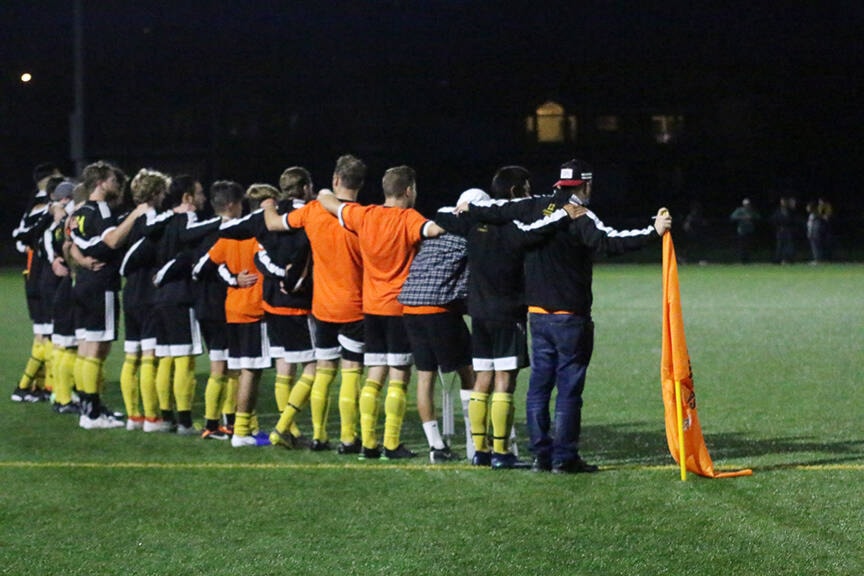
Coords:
pixel 776 355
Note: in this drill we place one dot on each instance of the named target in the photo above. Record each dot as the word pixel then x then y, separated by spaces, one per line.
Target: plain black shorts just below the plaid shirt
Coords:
pixel 439 340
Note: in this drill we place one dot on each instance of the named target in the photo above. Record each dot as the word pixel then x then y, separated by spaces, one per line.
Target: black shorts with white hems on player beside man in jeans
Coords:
pixel 499 345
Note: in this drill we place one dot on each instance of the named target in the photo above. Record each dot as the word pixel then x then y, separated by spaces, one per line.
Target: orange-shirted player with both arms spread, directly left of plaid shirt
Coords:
pixel 389 235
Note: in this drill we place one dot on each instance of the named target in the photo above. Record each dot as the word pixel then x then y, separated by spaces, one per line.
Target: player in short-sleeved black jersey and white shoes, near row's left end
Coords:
pixel 96 232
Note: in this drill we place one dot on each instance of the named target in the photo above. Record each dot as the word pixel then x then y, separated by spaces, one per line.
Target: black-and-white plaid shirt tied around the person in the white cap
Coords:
pixel 438 274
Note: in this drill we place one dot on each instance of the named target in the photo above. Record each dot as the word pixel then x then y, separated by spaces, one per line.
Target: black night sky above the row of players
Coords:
pixel 242 88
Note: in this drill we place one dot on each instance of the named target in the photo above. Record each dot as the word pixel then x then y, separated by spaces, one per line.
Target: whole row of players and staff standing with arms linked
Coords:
pixel 318 286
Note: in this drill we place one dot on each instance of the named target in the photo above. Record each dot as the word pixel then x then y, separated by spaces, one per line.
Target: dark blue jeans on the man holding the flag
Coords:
pixel 561 347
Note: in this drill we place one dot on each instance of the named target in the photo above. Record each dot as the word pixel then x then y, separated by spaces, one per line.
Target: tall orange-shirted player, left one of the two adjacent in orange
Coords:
pixel 337 303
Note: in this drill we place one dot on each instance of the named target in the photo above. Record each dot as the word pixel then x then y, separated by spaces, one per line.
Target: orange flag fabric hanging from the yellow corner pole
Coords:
pixel 675 366
